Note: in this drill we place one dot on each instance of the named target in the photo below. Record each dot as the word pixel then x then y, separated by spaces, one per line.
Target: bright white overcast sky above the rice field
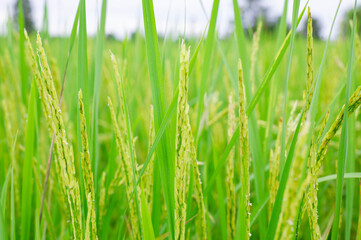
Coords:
pixel 173 17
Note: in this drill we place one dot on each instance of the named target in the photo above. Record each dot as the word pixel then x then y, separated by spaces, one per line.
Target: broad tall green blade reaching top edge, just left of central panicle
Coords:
pixel 163 157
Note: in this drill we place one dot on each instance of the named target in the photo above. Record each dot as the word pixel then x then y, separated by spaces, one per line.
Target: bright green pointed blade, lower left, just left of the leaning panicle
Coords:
pixel 27 180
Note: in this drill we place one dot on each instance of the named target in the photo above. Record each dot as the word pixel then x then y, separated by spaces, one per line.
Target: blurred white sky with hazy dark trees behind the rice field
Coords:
pixel 173 17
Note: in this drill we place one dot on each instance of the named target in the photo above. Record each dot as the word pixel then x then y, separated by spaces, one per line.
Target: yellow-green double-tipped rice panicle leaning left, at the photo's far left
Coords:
pixel 53 115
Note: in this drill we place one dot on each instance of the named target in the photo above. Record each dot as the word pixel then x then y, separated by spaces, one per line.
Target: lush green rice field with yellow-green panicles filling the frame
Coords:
pixel 253 136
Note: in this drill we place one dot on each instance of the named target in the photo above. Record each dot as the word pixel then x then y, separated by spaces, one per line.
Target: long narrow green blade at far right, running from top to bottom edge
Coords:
pixel 344 144
